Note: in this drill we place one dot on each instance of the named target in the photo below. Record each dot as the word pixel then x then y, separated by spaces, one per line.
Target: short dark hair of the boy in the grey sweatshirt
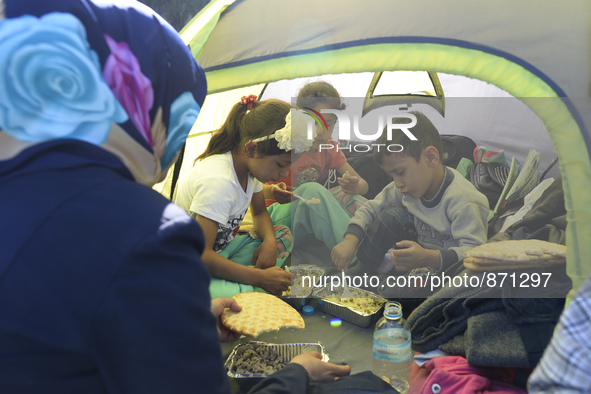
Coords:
pixel 424 131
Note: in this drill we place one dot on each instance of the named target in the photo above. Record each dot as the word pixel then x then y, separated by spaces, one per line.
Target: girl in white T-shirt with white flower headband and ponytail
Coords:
pixel 225 181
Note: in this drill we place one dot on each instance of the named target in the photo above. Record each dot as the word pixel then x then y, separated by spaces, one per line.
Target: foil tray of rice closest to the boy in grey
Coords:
pixel 333 307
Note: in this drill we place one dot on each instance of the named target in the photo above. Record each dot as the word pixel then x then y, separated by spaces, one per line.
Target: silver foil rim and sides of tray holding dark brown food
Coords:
pixel 285 350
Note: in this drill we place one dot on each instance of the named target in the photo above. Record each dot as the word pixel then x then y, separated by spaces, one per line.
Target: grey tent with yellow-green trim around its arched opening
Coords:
pixel 504 86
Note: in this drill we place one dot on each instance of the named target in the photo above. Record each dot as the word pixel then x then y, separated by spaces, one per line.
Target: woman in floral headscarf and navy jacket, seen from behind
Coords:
pixel 101 284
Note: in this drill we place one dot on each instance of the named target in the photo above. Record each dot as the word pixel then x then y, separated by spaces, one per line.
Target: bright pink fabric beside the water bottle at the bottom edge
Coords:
pixel 454 375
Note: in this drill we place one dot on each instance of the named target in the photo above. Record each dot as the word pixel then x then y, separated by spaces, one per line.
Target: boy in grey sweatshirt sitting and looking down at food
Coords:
pixel 429 214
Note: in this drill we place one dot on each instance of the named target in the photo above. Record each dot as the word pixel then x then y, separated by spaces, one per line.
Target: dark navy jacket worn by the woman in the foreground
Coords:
pixel 102 289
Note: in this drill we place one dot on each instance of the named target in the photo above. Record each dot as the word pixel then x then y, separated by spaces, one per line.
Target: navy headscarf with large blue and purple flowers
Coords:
pixel 107 72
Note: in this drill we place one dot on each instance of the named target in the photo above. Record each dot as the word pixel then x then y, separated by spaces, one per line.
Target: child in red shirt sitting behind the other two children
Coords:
pixel 315 165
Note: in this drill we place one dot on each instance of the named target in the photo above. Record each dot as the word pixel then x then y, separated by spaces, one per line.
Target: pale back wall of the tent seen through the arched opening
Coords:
pixel 490 116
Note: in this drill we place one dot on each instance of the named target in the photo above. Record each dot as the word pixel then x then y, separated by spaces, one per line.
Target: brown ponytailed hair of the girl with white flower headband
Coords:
pixel 243 125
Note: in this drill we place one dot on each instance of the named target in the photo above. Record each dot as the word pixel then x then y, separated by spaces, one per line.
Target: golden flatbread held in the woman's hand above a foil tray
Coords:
pixel 261 312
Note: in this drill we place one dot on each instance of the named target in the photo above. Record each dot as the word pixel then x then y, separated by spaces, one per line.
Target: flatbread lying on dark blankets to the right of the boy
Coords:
pixel 518 250
